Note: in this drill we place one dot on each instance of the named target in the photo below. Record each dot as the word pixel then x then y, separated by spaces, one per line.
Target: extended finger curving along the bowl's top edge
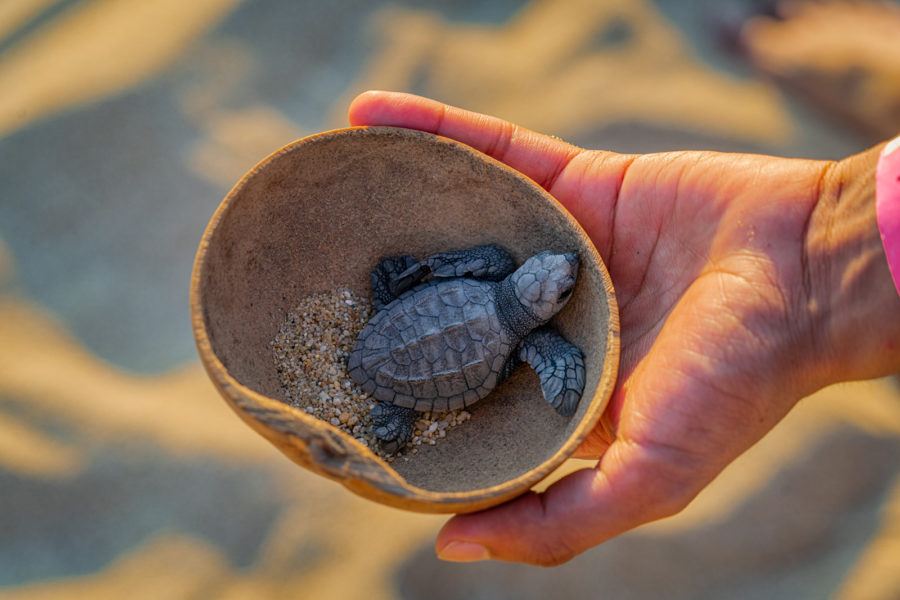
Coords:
pixel 540 157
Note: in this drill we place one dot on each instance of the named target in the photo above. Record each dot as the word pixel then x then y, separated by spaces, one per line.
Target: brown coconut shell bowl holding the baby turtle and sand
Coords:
pixel 320 214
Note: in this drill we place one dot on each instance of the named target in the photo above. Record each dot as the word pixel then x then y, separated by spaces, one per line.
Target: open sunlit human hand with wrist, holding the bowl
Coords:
pixel 737 278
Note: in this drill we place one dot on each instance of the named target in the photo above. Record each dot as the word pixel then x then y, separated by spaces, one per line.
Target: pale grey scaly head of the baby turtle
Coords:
pixel 545 282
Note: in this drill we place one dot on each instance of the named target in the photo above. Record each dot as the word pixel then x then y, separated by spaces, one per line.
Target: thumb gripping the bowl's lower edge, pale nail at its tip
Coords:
pixel 578 512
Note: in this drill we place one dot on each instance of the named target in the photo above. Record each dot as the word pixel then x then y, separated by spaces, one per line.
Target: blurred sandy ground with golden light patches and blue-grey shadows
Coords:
pixel 122 125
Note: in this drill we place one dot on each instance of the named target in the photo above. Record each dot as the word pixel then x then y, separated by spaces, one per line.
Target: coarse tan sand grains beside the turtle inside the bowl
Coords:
pixel 310 354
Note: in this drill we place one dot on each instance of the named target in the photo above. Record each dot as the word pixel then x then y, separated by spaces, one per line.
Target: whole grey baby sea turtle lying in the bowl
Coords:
pixel 451 327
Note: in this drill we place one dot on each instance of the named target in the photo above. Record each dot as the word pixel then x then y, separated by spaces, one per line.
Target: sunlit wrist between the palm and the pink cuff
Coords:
pixel 853 303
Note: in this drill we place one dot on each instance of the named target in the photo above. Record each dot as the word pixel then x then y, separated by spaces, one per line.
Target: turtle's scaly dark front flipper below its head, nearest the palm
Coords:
pixel 559 364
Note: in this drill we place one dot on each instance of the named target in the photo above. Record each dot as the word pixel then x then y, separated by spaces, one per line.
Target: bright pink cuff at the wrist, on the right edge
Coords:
pixel 887 205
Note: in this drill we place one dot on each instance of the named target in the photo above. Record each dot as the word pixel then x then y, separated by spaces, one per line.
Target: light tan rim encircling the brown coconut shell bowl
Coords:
pixel 390 488
